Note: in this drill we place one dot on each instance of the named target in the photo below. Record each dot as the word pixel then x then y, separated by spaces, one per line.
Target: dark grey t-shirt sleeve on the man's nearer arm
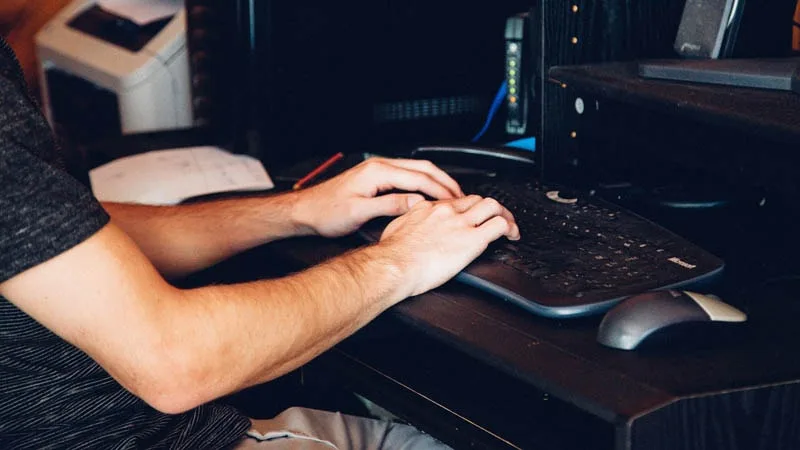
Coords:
pixel 43 210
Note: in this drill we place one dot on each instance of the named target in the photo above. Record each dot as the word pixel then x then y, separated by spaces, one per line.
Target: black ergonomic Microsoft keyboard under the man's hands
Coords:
pixel 579 255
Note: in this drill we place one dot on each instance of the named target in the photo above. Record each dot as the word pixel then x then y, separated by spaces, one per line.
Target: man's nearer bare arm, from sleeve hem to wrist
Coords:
pixel 178 348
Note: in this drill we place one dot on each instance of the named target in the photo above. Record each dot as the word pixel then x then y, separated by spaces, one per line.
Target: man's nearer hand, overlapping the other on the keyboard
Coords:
pixel 435 240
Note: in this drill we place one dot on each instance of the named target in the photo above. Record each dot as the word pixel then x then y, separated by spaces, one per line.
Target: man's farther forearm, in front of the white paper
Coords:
pixel 186 238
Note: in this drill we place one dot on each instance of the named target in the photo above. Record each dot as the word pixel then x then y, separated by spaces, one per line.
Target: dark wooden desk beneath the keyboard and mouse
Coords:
pixel 482 374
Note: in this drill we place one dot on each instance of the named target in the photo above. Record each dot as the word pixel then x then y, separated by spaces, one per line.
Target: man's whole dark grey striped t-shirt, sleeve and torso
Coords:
pixel 53 395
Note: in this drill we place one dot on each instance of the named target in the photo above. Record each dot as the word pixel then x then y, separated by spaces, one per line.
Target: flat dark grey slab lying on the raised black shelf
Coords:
pixel 774 73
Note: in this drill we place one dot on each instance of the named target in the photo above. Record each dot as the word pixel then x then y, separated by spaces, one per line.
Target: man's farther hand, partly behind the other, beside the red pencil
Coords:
pixel 342 204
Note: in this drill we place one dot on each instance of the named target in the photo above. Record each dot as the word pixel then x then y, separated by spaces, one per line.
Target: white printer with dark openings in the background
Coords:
pixel 104 75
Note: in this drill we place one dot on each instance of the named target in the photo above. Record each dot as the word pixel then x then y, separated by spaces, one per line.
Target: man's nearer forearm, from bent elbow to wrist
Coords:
pixel 224 338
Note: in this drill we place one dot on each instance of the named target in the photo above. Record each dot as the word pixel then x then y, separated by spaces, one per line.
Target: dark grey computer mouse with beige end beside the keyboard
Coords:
pixel 631 322
